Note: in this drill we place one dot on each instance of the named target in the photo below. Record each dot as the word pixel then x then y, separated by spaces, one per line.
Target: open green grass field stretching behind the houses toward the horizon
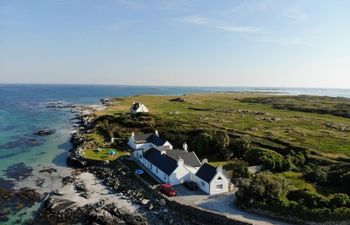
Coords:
pixel 320 132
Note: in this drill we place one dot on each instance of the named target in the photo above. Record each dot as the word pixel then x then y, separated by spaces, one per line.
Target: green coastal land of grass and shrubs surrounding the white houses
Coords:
pixel 286 157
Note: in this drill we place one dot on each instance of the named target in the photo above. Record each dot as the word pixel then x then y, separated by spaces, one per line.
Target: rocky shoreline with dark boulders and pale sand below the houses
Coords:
pixel 102 193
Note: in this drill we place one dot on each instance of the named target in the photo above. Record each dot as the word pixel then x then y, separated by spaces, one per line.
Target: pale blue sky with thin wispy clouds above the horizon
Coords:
pixel 267 43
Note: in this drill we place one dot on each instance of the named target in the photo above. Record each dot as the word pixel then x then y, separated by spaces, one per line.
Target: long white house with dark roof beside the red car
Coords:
pixel 172 166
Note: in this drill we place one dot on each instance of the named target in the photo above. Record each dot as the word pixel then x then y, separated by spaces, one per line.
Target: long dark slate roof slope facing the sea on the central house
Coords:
pixel 162 161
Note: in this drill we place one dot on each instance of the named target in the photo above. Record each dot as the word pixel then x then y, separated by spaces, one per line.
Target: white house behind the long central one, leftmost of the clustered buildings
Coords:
pixel 140 143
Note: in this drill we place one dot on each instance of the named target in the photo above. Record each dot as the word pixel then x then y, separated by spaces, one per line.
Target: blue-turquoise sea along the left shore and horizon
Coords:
pixel 23 110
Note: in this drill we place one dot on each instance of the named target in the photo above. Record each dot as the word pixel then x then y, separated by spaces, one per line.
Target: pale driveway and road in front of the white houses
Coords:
pixel 222 203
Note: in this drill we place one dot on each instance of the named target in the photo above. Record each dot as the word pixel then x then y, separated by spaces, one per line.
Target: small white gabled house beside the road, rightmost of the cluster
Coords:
pixel 211 180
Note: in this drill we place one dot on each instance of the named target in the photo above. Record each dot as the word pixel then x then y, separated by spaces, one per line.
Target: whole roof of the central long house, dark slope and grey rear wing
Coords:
pixel 168 162
